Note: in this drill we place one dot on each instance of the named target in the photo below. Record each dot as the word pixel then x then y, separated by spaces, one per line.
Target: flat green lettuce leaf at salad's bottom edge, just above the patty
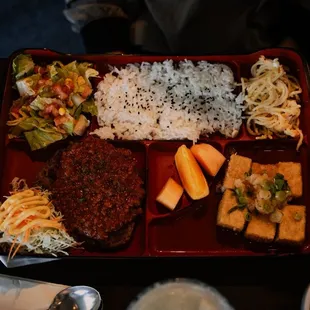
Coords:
pixel 39 138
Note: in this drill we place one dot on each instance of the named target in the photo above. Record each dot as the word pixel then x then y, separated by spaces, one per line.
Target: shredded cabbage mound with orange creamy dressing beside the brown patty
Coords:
pixel 29 222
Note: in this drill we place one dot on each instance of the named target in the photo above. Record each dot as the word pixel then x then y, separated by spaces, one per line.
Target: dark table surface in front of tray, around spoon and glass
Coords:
pixel 248 283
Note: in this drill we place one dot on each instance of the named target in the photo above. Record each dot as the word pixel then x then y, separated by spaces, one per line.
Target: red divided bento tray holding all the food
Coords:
pixel 190 230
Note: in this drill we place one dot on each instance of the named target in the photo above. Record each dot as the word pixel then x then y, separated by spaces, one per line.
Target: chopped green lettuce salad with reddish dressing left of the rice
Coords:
pixel 53 101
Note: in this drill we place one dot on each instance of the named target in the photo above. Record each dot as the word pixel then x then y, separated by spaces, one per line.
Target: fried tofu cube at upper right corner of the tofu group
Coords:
pixel 292 173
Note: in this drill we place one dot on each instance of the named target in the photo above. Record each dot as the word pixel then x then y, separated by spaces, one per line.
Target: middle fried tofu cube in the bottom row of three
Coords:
pixel 260 229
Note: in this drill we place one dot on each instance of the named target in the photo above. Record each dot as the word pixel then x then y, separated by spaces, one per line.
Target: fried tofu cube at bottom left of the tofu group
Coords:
pixel 234 220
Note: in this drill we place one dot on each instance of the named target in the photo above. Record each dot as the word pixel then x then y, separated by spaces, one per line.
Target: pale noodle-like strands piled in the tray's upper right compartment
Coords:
pixel 271 100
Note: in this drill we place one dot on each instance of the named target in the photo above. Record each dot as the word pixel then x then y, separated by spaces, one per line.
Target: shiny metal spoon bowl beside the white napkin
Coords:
pixel 77 298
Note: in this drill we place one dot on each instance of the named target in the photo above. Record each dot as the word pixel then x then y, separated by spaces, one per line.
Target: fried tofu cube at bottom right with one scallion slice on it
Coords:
pixel 292 229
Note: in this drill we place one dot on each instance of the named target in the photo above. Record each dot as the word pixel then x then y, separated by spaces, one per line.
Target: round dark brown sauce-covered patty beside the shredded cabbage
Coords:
pixel 97 189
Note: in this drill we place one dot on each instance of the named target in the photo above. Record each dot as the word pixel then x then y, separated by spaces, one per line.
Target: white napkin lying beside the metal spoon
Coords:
pixel 24 294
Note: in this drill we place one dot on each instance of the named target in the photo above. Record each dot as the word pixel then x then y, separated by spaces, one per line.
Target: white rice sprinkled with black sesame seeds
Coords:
pixel 159 101
